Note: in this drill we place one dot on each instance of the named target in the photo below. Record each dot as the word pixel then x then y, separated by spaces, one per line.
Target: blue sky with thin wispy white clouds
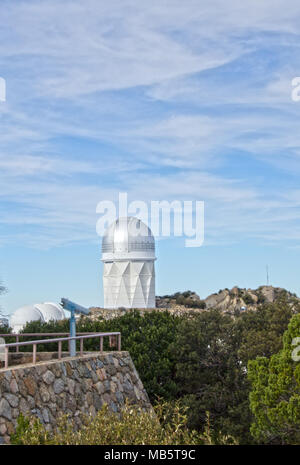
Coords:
pixel 163 100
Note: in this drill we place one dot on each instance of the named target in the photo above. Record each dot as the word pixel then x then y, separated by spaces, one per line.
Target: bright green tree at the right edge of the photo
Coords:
pixel 275 394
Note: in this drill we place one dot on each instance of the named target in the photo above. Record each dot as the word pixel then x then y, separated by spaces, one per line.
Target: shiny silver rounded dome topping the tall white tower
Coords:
pixel 126 238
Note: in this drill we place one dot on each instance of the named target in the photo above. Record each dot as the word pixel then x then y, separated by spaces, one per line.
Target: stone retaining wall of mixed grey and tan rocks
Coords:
pixel 74 386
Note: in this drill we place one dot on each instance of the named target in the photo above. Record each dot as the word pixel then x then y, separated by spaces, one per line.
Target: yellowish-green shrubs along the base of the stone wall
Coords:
pixel 133 427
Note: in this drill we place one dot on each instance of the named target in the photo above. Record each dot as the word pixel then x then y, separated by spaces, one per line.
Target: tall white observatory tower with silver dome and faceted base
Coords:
pixel 128 253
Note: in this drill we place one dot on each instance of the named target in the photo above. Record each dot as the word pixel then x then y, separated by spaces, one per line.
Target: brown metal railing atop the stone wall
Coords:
pixel 80 337
